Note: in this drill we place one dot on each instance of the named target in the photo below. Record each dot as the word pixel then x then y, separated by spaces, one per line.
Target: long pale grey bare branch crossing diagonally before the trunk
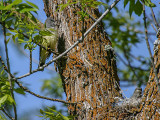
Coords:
pixel 75 44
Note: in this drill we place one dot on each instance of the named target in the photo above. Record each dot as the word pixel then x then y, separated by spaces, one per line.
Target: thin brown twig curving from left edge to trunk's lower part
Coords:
pixel 27 90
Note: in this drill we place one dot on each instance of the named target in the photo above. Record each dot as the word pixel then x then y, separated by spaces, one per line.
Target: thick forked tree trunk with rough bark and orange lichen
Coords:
pixel 89 72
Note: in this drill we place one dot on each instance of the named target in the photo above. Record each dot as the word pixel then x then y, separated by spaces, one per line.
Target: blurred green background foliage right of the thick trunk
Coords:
pixel 126 34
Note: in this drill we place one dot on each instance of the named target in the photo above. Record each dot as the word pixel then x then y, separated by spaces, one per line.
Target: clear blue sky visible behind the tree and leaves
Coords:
pixel 20 64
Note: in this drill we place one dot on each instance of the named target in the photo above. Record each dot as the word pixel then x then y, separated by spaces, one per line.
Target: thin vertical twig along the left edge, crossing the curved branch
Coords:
pixel 9 71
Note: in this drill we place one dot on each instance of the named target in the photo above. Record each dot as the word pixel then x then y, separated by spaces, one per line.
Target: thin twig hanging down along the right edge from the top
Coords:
pixel 148 46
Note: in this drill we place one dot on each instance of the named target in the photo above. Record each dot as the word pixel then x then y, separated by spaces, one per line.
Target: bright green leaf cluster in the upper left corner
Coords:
pixel 18 18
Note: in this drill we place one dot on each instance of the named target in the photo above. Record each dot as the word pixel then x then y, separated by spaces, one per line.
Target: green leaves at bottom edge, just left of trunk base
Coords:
pixel 52 114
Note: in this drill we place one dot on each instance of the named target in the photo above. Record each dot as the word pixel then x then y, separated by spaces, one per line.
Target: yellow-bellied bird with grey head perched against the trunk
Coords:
pixel 49 40
